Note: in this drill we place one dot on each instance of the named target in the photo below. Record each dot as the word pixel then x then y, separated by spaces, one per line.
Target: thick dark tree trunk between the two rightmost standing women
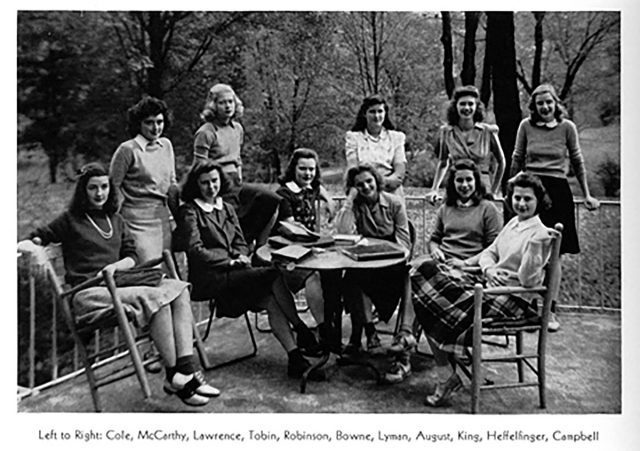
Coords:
pixel 502 57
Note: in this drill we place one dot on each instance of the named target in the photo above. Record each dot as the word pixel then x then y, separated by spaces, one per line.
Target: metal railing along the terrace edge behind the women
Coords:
pixel 595 270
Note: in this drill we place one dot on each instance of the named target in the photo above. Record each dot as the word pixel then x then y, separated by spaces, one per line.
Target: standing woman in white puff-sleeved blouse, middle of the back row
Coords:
pixel 374 140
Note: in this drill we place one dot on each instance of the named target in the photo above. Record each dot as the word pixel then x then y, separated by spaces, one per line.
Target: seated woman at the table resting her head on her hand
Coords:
pixel 372 212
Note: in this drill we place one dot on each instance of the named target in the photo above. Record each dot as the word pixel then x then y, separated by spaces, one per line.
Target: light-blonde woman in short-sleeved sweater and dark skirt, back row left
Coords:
pixel 220 139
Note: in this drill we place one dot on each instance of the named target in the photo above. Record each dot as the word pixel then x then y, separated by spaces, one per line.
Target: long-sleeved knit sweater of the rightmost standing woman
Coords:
pixel 543 150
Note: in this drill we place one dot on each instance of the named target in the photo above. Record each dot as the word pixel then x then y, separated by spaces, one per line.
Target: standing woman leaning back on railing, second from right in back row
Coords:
pixel 466 136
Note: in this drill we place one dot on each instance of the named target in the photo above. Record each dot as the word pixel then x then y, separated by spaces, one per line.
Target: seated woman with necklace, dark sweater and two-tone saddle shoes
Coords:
pixel 94 238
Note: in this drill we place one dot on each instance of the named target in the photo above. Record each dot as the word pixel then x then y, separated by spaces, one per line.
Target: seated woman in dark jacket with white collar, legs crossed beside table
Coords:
pixel 219 266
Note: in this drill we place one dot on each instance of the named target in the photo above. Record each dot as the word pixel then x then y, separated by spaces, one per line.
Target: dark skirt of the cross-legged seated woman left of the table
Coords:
pixel 237 291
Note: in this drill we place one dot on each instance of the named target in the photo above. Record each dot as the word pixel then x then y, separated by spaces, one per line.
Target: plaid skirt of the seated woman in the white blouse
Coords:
pixel 443 303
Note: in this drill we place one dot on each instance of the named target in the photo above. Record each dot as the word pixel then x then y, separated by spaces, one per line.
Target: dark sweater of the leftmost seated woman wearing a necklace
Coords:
pixel 84 250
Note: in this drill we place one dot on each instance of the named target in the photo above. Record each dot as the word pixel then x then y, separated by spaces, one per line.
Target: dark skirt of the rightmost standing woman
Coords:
pixel 563 211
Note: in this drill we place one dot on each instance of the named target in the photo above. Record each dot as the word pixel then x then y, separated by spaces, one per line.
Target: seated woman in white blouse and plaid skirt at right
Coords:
pixel 444 304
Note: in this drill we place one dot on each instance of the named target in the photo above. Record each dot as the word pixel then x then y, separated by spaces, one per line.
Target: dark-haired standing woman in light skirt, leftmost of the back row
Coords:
pixel 144 178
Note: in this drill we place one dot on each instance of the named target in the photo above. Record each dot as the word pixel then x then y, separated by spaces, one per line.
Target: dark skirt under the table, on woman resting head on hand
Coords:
pixel 383 286
